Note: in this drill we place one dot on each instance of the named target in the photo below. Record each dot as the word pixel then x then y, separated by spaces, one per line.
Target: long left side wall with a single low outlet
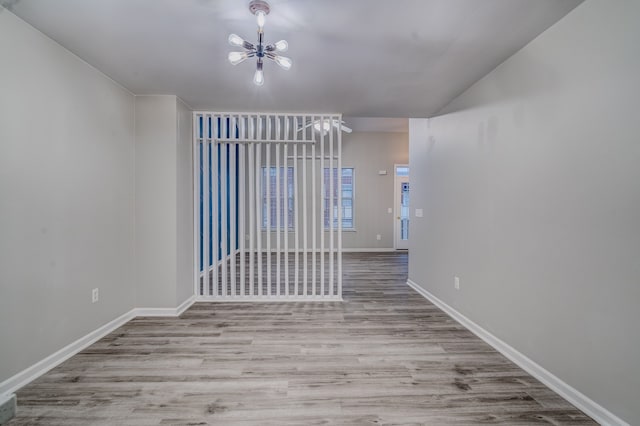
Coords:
pixel 66 197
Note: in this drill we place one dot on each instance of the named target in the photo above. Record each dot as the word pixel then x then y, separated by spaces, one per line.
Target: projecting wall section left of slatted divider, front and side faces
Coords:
pixel 164 259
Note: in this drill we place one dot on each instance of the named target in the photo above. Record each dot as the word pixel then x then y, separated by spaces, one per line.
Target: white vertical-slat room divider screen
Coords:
pixel 238 258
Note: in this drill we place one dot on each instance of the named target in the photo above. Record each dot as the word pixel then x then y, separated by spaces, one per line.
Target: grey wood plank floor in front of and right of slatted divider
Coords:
pixel 383 356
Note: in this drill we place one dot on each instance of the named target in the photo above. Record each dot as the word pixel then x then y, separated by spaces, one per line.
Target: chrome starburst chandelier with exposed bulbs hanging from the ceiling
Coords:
pixel 260 9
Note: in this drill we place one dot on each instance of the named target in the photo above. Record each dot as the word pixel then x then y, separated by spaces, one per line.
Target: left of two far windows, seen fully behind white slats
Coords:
pixel 272 202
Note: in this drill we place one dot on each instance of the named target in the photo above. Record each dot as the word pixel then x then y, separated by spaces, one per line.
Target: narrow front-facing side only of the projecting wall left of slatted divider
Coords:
pixel 156 213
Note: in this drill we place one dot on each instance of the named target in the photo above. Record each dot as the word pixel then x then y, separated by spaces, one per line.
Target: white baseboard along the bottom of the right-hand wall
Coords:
pixel 581 401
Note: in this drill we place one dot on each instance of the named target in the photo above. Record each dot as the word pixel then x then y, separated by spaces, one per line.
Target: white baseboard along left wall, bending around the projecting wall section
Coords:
pixel 12 384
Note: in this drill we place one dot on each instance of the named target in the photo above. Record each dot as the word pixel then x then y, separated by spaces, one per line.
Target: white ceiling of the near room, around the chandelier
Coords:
pixel 367 58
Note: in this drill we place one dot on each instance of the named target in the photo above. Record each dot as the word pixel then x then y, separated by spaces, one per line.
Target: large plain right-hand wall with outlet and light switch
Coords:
pixel 529 183
